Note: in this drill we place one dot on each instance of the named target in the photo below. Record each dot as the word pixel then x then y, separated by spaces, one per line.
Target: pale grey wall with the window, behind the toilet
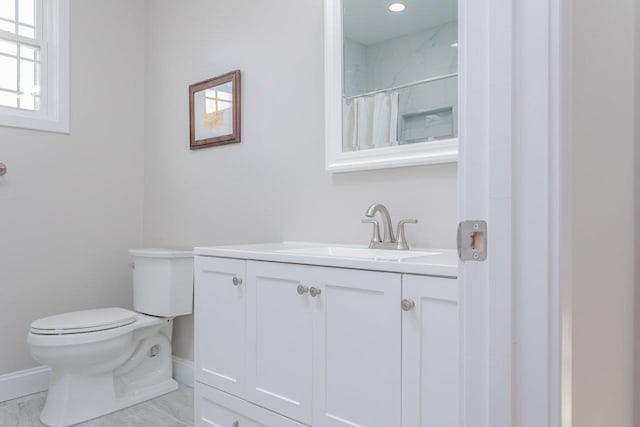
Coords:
pixel 71 205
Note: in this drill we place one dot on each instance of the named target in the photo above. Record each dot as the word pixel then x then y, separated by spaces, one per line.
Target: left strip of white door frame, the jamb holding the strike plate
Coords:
pixel 485 41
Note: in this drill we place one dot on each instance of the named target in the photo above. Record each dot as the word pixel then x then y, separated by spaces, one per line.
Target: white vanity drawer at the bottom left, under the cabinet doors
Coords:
pixel 217 408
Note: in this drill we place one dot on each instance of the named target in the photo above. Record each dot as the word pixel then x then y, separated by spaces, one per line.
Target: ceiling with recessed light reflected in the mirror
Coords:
pixel 370 21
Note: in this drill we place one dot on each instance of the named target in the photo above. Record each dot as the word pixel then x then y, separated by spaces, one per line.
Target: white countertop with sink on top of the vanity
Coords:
pixel 443 262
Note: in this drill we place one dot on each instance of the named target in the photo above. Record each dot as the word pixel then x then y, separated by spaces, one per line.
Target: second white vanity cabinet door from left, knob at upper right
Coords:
pixel 279 339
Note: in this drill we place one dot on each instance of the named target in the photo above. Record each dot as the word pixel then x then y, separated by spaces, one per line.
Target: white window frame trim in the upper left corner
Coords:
pixel 53 115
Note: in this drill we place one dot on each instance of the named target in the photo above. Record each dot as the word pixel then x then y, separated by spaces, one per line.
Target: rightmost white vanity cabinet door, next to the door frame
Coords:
pixel 430 352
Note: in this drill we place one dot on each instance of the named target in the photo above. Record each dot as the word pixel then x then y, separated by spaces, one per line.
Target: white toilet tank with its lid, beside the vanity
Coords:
pixel 162 282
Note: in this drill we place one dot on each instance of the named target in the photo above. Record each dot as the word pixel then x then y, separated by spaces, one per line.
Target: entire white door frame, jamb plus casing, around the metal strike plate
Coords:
pixel 511 170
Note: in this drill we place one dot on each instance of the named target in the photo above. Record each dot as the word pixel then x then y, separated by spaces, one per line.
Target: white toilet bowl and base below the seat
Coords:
pixel 108 375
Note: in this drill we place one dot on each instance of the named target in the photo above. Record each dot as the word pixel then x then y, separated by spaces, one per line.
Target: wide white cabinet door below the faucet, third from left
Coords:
pixel 357 343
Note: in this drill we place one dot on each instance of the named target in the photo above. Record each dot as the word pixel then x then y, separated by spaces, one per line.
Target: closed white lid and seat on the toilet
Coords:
pixel 83 321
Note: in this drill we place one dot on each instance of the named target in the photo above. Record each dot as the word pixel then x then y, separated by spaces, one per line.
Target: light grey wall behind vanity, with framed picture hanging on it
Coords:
pixel 273 185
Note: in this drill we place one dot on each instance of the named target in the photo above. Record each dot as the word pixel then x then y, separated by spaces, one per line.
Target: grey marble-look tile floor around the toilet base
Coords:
pixel 171 410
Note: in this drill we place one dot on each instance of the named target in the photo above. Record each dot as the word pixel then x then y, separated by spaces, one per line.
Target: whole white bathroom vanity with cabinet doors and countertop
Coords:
pixel 296 334
